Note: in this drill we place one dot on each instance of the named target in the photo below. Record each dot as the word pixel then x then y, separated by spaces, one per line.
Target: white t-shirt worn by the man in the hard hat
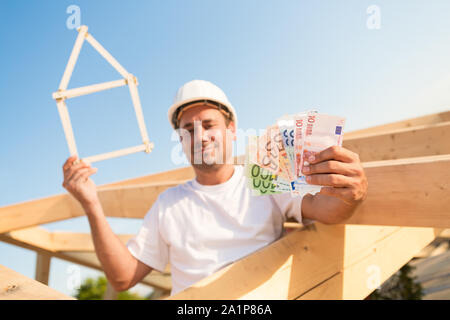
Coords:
pixel 199 229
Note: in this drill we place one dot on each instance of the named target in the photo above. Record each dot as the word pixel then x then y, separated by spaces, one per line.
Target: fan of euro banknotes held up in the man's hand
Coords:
pixel 274 160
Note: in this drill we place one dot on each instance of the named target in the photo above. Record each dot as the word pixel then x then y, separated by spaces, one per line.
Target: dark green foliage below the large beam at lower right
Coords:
pixel 401 286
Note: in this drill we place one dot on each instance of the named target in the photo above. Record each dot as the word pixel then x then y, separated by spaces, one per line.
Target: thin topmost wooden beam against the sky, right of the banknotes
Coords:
pixel 423 120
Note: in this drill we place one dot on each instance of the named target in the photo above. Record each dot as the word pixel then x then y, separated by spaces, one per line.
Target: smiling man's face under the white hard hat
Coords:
pixel 206 139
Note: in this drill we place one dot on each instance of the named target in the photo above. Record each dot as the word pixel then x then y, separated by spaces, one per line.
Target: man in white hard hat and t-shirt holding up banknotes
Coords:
pixel 213 220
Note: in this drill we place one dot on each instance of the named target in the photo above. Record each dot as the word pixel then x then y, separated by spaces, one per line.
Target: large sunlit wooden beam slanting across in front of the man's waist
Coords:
pixel 328 262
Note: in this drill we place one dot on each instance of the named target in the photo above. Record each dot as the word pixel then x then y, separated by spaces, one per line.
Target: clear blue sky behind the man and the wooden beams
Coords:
pixel 270 57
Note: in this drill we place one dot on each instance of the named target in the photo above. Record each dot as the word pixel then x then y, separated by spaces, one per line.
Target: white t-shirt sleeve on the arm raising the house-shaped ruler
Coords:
pixel 147 245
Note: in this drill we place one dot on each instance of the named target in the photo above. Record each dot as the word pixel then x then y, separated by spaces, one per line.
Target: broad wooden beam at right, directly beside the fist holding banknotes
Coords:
pixel 407 192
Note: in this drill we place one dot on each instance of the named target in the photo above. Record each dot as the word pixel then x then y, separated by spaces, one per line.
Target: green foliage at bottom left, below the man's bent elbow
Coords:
pixel 94 289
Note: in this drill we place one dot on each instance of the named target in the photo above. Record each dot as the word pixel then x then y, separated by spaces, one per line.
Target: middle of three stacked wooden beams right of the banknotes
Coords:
pixel 418 141
